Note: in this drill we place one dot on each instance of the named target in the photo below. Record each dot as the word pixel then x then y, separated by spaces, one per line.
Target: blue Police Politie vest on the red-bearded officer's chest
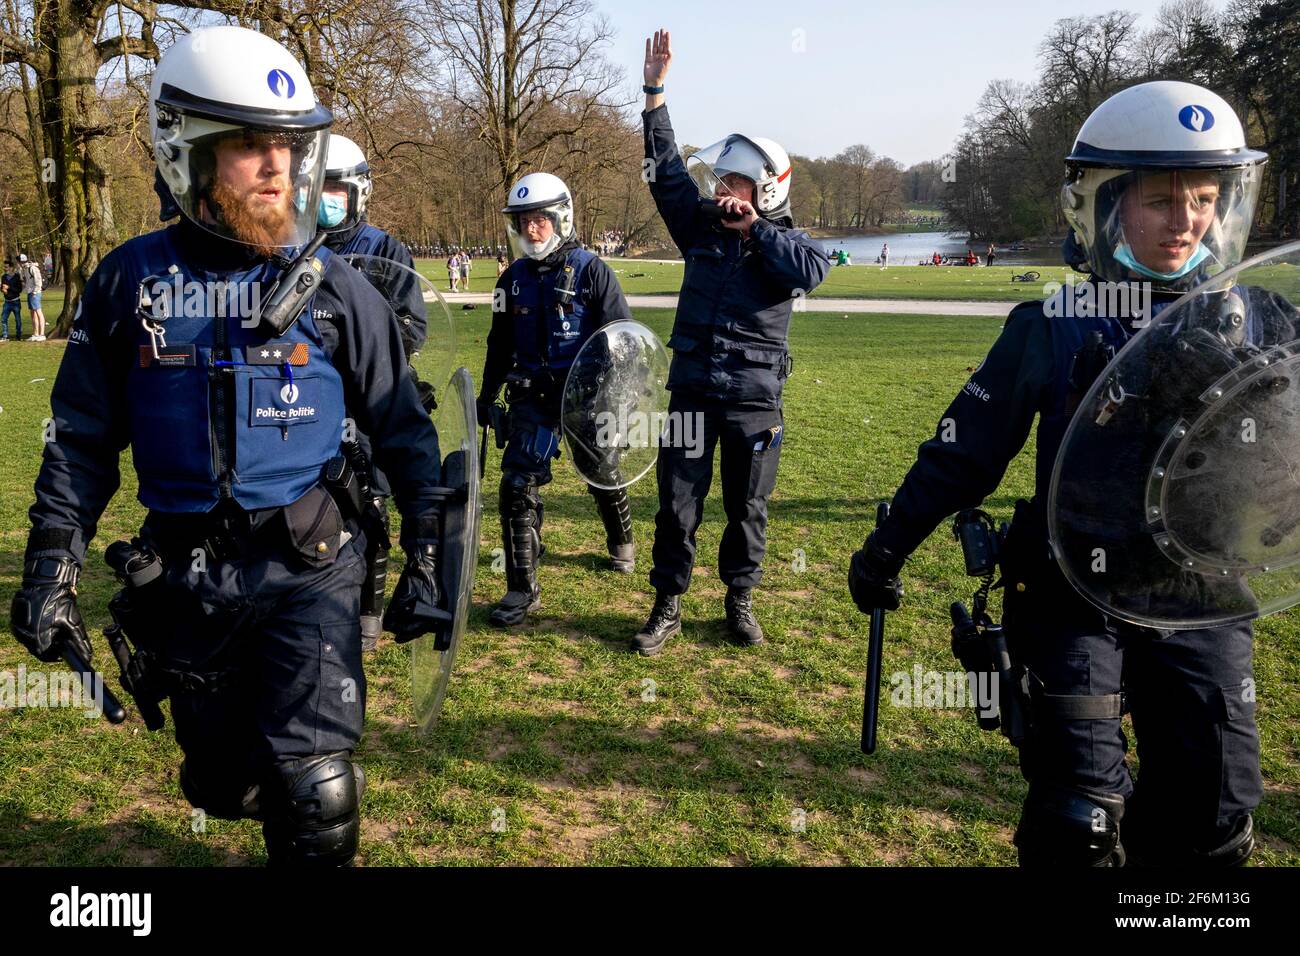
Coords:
pixel 224 412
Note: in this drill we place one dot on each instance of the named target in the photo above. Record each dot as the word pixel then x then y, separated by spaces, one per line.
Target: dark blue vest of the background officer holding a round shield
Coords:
pixel 547 332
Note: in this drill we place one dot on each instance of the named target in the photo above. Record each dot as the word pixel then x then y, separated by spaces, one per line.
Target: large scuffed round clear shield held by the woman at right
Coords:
pixel 1176 496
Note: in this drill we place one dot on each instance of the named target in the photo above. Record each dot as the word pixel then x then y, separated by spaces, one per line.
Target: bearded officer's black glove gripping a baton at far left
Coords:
pixel 45 615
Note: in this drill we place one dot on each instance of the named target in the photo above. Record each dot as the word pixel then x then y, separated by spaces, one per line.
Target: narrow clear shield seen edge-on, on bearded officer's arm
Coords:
pixel 434 655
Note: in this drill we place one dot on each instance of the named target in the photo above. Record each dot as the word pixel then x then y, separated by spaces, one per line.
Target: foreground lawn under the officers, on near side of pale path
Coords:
pixel 560 747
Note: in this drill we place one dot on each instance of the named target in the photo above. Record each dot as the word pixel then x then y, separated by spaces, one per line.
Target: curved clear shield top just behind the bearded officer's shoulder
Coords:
pixel 422 312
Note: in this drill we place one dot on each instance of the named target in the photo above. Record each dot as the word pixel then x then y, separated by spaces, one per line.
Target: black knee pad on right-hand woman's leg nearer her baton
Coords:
pixel 1069 827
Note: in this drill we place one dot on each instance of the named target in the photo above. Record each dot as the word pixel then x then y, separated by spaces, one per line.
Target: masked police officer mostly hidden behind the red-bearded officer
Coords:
pixel 344 215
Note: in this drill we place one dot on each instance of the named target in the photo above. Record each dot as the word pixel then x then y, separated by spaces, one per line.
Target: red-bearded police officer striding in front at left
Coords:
pixel 233 417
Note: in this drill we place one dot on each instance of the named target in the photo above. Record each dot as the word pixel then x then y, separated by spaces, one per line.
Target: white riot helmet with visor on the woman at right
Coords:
pixel 1162 187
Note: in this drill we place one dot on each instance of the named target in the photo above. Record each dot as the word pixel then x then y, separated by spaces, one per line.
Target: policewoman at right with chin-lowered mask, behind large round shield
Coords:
pixel 1160 191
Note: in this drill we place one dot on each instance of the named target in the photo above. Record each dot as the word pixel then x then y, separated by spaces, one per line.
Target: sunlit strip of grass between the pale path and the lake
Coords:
pixel 981 284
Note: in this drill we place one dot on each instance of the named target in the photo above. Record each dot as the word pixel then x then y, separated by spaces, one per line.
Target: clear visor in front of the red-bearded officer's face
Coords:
pixel 261 188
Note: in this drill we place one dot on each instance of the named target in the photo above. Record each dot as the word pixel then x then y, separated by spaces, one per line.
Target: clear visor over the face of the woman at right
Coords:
pixel 1175 228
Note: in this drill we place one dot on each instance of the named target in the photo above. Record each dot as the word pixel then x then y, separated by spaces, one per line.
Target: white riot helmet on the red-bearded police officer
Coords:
pixel 226 84
